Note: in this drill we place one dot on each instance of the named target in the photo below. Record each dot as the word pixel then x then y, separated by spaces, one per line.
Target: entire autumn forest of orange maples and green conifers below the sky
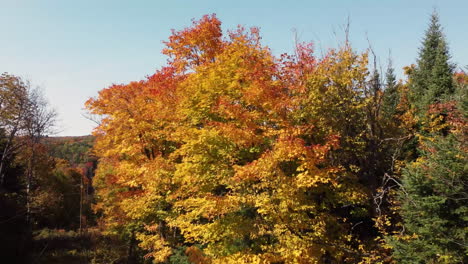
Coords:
pixel 231 154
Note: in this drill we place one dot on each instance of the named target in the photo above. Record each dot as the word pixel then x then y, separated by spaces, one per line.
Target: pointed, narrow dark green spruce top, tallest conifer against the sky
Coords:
pixel 432 78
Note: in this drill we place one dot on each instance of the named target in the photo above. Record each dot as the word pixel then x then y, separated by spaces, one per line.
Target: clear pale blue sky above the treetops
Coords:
pixel 75 48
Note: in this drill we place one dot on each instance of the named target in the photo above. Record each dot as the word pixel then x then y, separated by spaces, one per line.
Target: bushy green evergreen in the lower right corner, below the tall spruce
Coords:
pixel 434 205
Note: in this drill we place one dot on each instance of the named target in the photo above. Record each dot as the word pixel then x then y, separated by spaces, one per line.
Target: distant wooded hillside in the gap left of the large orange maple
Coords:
pixel 76 150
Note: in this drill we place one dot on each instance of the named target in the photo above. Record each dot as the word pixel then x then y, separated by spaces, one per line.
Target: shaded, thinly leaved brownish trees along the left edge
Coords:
pixel 39 189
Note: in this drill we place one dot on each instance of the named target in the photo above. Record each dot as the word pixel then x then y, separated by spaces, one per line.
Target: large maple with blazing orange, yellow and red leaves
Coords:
pixel 236 155
